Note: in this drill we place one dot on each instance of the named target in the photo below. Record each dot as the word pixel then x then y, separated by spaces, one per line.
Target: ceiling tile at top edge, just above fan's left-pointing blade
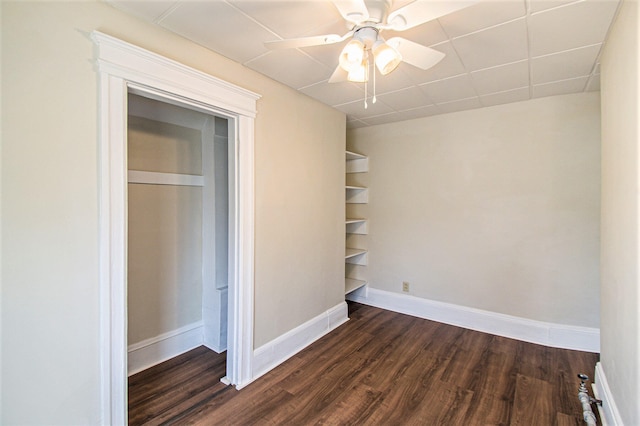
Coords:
pixel 290 19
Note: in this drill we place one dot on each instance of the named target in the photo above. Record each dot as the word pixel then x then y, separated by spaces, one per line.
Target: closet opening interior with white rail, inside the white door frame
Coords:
pixel 178 230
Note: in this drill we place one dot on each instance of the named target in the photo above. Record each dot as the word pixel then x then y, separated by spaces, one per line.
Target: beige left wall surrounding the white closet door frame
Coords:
pixel 51 365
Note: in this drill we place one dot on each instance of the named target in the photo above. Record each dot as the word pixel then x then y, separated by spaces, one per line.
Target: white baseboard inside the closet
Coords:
pixel 155 350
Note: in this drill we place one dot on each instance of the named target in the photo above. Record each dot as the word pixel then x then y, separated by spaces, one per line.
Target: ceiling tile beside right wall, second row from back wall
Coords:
pixel 564 65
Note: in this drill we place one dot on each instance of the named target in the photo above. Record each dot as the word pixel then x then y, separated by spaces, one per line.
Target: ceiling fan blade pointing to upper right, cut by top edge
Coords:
pixel 421 11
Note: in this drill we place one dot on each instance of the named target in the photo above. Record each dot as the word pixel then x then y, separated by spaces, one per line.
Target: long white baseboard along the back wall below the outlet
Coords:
pixel 542 333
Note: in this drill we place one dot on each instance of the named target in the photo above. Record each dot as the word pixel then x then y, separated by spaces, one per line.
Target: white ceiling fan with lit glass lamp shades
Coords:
pixel 366 20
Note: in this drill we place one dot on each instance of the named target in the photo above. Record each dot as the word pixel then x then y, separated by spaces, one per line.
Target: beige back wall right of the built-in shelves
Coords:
pixel 495 209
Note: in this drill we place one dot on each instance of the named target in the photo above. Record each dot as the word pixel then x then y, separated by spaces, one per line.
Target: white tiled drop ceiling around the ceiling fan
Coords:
pixel 497 51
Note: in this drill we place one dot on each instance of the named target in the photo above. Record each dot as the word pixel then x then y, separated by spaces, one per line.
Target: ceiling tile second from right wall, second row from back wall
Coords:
pixel 501 78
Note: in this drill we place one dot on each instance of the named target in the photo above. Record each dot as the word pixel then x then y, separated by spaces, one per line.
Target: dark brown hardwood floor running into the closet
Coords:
pixel 380 368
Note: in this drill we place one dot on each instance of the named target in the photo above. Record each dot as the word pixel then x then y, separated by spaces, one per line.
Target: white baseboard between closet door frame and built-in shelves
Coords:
pixel 274 353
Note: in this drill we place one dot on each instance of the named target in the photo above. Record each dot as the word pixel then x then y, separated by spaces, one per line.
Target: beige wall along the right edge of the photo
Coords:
pixel 620 294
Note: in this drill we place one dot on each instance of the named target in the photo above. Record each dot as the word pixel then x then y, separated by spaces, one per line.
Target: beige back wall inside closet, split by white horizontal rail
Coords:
pixel 164 283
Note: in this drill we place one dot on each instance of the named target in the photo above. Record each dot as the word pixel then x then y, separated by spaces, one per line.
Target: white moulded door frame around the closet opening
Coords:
pixel 121 66
